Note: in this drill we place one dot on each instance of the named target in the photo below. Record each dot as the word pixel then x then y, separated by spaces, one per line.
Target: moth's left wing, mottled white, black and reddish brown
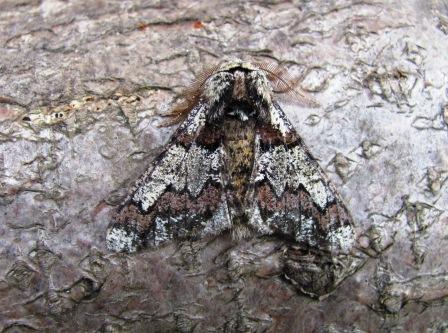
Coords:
pixel 180 196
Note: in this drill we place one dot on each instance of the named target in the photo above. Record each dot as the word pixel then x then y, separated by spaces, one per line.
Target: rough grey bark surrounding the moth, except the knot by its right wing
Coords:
pixel 82 87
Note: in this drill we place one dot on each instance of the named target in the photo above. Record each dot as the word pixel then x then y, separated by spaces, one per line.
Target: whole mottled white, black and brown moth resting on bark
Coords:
pixel 235 163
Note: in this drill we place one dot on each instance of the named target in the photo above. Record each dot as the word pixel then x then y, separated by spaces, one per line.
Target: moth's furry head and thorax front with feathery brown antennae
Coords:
pixel 239 88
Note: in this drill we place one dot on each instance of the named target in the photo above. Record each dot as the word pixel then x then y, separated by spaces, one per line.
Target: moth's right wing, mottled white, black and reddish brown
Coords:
pixel 291 195
